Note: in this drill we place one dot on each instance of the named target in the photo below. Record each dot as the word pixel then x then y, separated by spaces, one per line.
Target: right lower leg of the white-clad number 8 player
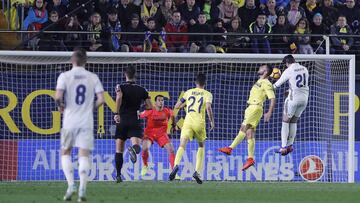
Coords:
pixel 84 168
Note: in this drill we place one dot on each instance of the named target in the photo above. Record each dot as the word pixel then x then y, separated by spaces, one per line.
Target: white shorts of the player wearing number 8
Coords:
pixel 77 137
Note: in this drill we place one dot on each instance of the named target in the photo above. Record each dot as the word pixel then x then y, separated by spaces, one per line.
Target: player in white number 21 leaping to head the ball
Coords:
pixel 295 103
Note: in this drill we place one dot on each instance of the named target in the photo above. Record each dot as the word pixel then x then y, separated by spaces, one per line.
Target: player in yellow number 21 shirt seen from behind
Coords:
pixel 197 102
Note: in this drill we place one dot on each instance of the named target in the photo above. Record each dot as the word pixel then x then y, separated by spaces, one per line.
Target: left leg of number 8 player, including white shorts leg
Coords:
pixel 67 142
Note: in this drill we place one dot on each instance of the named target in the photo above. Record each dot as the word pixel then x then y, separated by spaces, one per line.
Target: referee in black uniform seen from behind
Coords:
pixel 129 98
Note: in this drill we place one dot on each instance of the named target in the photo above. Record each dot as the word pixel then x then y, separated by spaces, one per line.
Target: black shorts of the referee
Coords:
pixel 128 128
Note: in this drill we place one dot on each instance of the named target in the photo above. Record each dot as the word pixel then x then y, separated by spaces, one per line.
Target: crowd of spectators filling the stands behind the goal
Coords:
pixel 253 20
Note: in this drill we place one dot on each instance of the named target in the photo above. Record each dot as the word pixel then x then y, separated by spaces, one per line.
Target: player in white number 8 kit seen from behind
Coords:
pixel 75 92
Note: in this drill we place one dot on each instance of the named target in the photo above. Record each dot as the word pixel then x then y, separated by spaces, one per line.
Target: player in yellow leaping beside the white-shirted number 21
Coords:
pixel 261 90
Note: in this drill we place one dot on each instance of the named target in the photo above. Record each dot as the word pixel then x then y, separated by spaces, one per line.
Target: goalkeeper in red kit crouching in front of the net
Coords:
pixel 156 131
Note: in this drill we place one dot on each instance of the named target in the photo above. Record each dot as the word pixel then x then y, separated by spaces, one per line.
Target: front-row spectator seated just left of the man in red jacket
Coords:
pixel 154 43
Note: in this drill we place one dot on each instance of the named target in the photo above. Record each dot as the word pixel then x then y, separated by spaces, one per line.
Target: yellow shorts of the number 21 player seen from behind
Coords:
pixel 191 130
